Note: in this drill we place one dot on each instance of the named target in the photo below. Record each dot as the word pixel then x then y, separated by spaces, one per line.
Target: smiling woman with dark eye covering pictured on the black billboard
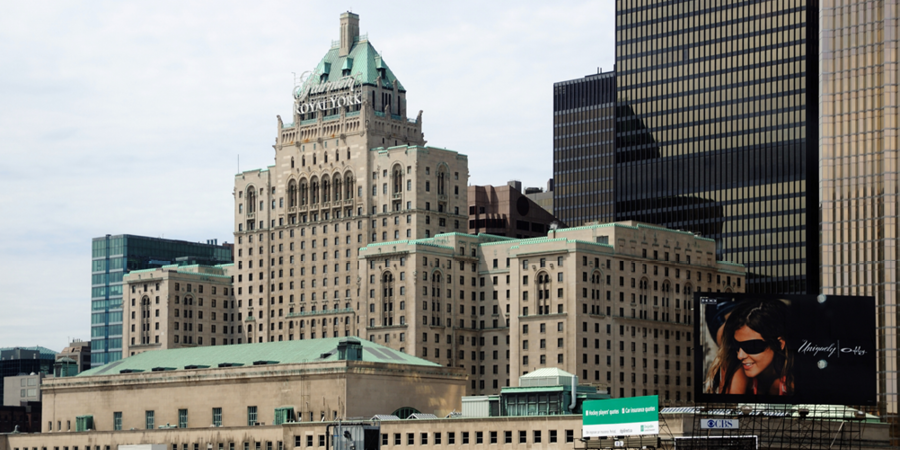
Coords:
pixel 753 357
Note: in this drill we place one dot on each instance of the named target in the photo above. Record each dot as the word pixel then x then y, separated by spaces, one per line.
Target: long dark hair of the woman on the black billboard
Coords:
pixel 770 319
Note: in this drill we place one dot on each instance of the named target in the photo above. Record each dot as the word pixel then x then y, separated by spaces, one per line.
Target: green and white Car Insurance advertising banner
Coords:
pixel 620 417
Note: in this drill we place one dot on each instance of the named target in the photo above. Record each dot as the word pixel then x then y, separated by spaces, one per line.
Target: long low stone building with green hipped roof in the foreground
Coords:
pixel 248 385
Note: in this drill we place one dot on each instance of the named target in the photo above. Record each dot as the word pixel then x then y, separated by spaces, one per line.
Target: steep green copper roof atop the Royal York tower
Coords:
pixel 363 62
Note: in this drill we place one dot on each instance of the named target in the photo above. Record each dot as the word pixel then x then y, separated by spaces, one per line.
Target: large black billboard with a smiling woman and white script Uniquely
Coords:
pixel 788 349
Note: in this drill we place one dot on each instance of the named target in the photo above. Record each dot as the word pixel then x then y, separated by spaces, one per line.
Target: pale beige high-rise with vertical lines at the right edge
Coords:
pixel 858 163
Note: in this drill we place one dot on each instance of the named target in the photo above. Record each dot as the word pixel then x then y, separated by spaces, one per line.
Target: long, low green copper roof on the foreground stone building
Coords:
pixel 285 352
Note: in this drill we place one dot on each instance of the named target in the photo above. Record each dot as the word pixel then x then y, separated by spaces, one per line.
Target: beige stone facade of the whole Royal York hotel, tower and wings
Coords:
pixel 358 230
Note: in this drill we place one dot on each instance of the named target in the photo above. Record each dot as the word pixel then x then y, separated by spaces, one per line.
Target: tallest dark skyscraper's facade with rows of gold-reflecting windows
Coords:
pixel 717 130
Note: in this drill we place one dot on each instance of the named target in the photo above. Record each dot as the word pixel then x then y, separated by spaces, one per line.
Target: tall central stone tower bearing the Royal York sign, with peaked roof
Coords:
pixel 346 174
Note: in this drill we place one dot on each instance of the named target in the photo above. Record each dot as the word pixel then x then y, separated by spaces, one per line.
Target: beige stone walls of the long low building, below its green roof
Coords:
pixel 233 397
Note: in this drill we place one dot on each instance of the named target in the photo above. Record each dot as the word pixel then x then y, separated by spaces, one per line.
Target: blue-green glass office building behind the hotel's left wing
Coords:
pixel 114 256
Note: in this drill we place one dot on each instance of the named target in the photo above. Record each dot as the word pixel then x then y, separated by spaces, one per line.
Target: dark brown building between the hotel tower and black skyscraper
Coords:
pixel 506 211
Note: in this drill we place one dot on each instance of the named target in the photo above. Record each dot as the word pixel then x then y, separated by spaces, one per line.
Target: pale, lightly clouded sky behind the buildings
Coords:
pixel 133 117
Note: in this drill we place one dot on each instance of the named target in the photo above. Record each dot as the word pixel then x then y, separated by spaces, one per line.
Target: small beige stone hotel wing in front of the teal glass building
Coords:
pixel 179 306
